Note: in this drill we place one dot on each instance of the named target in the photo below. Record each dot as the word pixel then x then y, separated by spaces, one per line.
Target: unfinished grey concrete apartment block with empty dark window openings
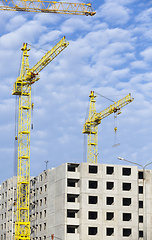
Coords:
pixel 85 202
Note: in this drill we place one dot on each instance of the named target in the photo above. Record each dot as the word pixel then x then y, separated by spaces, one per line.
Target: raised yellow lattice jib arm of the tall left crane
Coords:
pixel 46 59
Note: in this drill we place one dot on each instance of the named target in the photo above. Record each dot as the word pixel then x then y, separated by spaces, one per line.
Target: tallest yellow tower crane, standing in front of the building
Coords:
pixel 22 88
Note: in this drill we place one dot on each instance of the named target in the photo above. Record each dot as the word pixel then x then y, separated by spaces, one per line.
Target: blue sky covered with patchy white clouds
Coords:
pixel 110 53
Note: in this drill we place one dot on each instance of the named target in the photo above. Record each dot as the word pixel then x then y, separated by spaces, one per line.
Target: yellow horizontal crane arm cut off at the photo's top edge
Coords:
pixel 48 7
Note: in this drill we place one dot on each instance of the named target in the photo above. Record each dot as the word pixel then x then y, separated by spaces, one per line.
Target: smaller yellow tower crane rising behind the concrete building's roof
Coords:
pixel 94 119
